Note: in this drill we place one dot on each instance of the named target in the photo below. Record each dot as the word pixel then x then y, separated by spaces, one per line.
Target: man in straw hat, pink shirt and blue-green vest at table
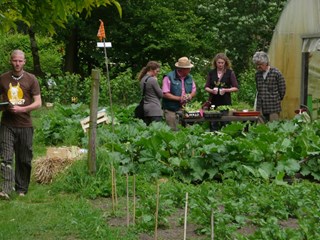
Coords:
pixel 178 88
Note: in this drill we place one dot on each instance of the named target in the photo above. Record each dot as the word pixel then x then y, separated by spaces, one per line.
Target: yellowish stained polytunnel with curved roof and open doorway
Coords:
pixel 295 51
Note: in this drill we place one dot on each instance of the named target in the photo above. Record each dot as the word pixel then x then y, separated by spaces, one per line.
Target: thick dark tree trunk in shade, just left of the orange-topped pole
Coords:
pixel 71 61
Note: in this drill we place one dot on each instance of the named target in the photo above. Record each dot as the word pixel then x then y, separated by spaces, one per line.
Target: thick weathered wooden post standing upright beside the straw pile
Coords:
pixel 93 121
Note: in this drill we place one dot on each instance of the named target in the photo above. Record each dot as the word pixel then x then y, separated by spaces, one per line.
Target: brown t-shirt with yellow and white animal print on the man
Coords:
pixel 20 93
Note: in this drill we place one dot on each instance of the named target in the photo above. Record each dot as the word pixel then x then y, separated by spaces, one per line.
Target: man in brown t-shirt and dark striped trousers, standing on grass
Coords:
pixel 22 92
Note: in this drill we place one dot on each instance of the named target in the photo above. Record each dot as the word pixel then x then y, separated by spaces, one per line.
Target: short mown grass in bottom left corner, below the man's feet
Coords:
pixel 42 214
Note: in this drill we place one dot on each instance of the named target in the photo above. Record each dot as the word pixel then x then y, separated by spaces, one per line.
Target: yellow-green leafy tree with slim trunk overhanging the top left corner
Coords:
pixel 43 16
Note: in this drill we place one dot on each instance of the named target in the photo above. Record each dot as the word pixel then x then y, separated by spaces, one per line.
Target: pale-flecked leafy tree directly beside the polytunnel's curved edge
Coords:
pixel 244 26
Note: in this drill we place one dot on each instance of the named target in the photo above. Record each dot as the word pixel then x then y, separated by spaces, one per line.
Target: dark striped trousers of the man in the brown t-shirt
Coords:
pixel 15 143
